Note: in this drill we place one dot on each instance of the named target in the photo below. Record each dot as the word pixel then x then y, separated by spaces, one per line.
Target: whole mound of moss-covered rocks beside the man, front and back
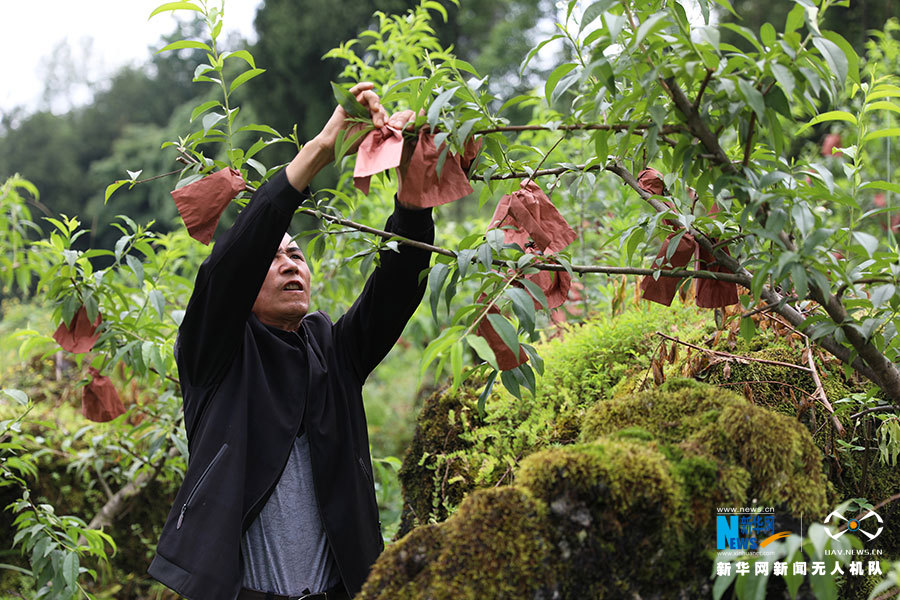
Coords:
pixel 593 488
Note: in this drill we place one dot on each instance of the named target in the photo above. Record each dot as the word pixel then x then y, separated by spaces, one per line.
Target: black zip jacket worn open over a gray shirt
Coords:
pixel 247 387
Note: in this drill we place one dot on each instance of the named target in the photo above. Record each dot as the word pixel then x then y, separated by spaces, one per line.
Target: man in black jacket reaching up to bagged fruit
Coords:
pixel 278 499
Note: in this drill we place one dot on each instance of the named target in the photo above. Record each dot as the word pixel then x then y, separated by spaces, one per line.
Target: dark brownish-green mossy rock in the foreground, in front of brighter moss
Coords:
pixel 626 512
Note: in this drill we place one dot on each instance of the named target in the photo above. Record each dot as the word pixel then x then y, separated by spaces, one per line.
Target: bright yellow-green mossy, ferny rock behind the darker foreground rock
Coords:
pixel 453 451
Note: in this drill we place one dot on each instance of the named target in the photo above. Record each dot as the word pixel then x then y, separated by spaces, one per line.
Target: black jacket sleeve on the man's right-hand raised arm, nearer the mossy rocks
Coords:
pixel 371 327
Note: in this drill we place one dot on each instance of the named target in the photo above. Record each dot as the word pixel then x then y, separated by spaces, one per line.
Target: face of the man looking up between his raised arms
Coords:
pixel 283 299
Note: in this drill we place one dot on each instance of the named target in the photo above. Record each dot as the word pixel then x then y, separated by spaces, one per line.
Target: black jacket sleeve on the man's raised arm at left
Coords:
pixel 229 280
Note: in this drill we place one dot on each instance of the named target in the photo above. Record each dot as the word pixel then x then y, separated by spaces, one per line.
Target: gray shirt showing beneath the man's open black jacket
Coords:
pixel 285 549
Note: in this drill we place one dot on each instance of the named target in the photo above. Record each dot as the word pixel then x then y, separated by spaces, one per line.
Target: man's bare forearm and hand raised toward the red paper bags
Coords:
pixel 314 155
